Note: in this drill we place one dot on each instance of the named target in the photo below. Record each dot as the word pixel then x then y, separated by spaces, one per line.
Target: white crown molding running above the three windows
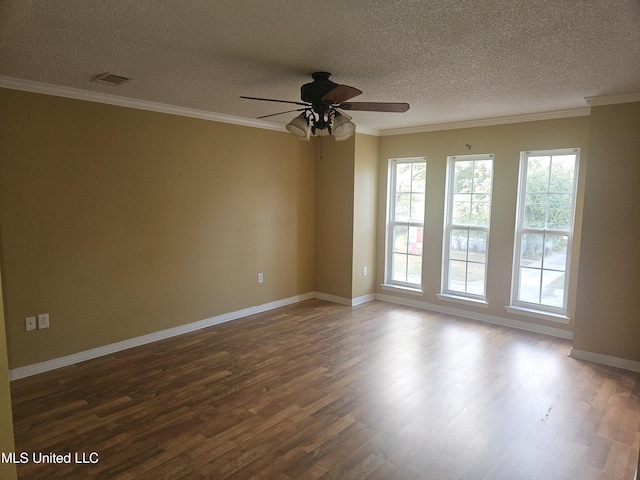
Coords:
pixel 487 122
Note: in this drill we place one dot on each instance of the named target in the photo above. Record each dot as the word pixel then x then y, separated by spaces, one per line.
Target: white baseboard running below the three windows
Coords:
pixel 482 317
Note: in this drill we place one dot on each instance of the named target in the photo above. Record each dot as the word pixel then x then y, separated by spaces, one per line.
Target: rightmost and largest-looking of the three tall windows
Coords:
pixel 544 230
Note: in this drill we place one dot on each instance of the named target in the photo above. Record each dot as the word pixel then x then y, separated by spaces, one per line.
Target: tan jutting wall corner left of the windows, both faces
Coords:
pixel 346 215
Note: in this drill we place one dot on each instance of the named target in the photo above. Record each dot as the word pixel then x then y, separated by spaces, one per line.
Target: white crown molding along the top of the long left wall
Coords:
pixel 89 96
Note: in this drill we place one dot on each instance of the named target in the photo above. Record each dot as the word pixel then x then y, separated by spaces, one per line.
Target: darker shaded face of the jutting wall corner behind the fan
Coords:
pixel 334 216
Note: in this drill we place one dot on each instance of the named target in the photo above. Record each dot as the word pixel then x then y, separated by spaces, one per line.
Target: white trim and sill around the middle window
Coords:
pixel 447 293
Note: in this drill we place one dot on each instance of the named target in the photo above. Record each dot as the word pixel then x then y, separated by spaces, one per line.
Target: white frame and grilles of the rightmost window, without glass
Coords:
pixel 539 309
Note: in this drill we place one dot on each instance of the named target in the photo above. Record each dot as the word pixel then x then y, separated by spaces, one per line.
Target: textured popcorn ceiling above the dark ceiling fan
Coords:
pixel 451 60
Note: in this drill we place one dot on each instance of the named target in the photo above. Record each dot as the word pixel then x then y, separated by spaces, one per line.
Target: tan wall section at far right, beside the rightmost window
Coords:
pixel 608 310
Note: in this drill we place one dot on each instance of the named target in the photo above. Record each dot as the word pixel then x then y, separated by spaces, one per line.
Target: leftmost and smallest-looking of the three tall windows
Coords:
pixel 406 197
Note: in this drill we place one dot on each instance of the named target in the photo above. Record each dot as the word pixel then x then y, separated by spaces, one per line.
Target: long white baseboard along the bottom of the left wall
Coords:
pixel 34 369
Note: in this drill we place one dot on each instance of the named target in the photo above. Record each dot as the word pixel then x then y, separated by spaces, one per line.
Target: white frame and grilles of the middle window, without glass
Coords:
pixel 449 226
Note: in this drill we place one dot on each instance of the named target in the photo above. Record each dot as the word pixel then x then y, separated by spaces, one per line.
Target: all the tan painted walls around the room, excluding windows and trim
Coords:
pixel 120 222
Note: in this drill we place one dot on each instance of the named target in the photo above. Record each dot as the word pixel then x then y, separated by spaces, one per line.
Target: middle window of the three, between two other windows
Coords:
pixel 466 231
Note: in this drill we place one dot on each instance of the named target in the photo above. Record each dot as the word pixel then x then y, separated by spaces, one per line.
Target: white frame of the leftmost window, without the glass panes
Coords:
pixel 392 223
